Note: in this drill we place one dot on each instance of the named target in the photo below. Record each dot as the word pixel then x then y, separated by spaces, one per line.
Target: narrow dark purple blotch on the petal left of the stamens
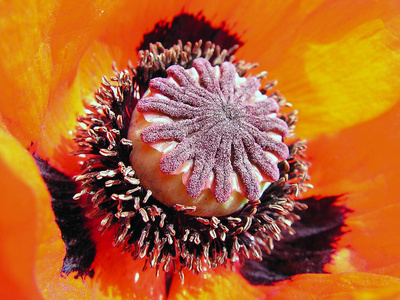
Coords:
pixel 70 218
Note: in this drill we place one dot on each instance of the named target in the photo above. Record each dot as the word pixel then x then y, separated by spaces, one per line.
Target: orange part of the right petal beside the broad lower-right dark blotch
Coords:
pixel 366 163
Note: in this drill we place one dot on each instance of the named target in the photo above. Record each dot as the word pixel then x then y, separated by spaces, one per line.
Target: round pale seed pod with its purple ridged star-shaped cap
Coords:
pixel 210 136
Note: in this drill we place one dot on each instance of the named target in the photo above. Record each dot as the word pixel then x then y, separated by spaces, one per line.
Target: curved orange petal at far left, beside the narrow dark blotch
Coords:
pixel 21 188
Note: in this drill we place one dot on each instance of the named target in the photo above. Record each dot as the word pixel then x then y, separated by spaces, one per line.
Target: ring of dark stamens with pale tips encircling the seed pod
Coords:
pixel 167 237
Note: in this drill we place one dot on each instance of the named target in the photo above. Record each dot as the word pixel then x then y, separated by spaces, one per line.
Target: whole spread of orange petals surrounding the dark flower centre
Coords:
pixel 336 62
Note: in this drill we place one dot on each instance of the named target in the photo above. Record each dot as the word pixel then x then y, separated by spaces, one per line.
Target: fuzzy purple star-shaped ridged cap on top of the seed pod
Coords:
pixel 218 125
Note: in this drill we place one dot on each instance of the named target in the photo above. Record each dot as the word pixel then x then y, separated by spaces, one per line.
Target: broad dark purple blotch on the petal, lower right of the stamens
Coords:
pixel 305 252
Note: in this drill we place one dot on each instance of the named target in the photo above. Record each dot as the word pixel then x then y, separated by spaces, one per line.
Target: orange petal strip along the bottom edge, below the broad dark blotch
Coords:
pixel 222 284
